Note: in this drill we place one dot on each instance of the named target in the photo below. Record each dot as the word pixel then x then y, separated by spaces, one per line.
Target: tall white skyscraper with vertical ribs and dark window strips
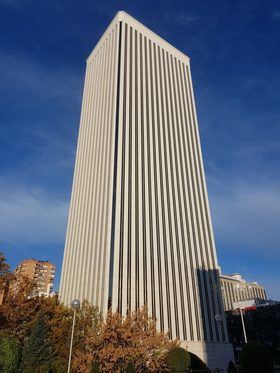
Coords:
pixel 139 229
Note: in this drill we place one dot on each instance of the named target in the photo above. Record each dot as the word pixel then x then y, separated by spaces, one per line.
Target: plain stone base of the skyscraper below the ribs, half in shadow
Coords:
pixel 213 354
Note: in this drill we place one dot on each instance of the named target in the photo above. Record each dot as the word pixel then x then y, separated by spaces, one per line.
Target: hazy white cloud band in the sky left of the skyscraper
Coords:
pixel 31 216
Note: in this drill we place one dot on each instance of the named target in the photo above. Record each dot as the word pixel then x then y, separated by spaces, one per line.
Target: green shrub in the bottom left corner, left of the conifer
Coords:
pixel 10 353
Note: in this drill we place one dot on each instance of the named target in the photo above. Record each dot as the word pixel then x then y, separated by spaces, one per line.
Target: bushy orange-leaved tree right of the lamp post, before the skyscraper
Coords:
pixel 120 341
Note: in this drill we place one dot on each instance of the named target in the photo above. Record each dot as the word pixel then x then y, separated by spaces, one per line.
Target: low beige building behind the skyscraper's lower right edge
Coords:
pixel 236 289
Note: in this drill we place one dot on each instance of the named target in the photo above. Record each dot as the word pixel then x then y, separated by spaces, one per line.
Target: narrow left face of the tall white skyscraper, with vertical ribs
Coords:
pixel 87 248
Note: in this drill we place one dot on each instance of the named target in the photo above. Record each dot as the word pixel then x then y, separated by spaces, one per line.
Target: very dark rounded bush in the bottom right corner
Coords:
pixel 256 357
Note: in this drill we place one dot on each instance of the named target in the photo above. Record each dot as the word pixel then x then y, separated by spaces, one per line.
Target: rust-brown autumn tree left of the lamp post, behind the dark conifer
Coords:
pixel 19 312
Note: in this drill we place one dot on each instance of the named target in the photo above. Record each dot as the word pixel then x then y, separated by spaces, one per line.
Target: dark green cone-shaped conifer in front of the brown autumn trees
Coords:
pixel 37 353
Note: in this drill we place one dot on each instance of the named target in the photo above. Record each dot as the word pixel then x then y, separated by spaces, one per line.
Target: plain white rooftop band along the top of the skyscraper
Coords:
pixel 125 17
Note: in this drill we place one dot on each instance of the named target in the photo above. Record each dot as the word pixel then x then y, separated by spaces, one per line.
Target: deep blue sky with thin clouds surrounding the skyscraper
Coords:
pixel 234 48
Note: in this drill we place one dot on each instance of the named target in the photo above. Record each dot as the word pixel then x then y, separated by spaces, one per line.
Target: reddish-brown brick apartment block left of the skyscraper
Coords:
pixel 40 272
